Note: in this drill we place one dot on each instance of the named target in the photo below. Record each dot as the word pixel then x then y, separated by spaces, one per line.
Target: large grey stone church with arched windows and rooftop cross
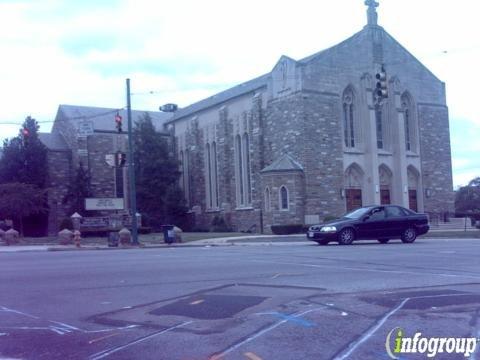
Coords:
pixel 312 138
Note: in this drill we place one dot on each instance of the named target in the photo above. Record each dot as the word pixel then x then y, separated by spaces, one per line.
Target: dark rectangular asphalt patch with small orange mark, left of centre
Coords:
pixel 209 307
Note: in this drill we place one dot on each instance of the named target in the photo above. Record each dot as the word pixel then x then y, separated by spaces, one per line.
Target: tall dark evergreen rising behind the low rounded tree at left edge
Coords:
pixel 24 157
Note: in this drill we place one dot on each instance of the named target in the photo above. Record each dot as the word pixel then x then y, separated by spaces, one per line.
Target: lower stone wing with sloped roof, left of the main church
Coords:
pixel 68 147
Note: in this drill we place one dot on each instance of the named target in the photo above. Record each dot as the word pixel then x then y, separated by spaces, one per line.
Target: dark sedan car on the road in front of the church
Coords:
pixel 372 222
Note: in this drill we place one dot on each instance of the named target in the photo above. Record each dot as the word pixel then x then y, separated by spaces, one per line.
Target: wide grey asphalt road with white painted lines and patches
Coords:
pixel 295 301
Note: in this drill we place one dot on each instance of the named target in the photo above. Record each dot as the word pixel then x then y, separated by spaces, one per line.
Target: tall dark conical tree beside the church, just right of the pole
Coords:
pixel 157 174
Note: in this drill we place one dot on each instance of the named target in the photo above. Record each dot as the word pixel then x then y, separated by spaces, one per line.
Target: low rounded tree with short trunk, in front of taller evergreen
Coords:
pixel 18 201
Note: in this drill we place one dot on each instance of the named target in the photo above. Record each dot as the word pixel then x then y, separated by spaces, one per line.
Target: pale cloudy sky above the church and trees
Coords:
pixel 180 51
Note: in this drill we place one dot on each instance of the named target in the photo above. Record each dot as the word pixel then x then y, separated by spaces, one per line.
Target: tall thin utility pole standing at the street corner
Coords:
pixel 131 171
